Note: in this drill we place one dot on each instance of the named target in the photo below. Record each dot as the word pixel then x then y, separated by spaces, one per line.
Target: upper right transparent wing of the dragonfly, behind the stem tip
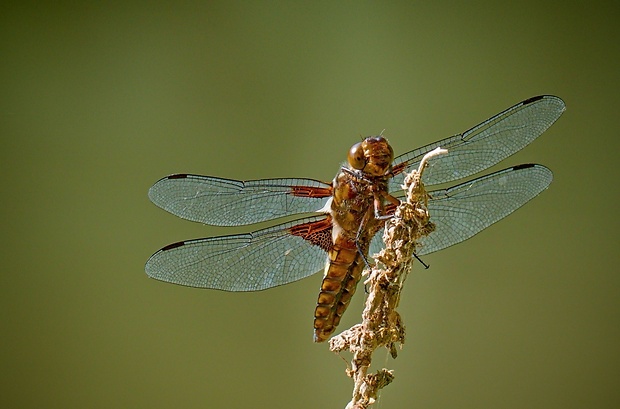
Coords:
pixel 485 144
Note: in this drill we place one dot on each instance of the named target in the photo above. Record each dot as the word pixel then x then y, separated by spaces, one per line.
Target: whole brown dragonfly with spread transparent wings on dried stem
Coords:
pixel 337 224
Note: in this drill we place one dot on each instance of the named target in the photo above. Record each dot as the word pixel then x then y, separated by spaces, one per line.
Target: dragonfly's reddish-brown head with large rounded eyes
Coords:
pixel 373 156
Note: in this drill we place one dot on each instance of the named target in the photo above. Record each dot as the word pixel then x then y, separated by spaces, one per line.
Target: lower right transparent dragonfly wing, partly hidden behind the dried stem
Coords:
pixel 464 210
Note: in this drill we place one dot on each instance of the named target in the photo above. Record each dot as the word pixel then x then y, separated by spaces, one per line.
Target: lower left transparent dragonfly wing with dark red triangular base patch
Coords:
pixel 246 262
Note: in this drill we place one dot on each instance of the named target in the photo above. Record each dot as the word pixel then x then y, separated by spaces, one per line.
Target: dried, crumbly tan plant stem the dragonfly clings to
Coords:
pixel 381 324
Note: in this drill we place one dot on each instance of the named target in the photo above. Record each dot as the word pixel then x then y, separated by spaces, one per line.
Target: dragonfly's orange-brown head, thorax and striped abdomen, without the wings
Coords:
pixel 357 197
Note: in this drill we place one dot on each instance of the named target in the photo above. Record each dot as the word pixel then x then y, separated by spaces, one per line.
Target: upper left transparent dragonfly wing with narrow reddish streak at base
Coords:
pixel 227 202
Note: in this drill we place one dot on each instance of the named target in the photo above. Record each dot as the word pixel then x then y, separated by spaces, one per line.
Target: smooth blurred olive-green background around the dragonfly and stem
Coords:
pixel 98 102
